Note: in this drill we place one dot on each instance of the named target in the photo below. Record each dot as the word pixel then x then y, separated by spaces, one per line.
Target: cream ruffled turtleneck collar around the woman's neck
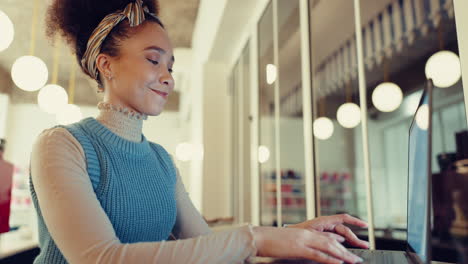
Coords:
pixel 121 121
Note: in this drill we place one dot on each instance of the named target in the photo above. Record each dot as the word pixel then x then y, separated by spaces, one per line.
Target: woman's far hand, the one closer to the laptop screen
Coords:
pixel 335 224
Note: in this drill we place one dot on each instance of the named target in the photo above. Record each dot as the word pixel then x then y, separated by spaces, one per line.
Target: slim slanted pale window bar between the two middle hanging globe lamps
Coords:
pixel 365 136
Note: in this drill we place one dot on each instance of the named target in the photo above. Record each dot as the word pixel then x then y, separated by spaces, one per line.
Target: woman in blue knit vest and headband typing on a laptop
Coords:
pixel 104 194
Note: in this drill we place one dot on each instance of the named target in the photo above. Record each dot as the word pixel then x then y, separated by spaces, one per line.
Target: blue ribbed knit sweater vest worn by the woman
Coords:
pixel 134 183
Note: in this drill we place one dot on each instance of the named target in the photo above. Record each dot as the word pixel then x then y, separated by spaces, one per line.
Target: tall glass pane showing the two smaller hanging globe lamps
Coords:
pixel 336 116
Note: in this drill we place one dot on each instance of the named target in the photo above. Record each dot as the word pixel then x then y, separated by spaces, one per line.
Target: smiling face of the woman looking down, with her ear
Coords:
pixel 141 76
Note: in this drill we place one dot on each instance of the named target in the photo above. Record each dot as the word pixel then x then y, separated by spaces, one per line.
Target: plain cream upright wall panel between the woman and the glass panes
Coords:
pixel 217 191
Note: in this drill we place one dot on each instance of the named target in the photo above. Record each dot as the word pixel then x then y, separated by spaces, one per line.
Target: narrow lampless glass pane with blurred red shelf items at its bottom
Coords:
pixel 291 121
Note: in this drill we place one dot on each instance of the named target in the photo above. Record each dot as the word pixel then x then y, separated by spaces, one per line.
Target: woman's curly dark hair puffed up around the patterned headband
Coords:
pixel 75 21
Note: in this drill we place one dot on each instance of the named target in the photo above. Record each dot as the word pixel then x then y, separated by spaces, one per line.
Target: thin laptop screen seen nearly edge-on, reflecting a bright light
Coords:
pixel 418 182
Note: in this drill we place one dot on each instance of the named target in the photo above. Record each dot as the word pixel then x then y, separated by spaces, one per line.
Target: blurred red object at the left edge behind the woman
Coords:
pixel 6 179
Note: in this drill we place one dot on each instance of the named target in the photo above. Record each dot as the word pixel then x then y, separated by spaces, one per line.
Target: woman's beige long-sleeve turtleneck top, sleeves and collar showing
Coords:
pixel 83 232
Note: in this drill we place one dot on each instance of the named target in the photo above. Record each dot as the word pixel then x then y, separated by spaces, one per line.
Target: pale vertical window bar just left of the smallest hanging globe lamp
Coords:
pixel 307 109
